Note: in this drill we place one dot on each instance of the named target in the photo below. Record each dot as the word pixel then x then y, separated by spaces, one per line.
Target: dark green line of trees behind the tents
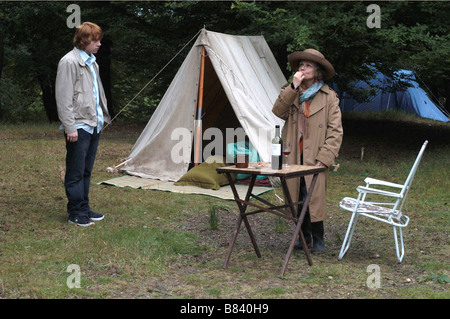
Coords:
pixel 141 37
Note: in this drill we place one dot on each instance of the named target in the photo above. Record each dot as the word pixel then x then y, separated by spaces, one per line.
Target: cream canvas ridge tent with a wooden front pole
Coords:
pixel 226 81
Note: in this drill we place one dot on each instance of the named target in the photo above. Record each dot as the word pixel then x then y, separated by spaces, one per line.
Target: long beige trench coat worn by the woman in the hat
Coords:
pixel 322 143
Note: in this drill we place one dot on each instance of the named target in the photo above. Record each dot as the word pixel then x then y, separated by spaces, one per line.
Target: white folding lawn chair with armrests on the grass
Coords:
pixel 389 211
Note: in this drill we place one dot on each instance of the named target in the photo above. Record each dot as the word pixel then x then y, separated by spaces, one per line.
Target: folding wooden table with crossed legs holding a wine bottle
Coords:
pixel 285 173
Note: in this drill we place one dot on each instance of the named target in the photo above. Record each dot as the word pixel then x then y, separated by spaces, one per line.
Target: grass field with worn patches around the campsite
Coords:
pixel 163 245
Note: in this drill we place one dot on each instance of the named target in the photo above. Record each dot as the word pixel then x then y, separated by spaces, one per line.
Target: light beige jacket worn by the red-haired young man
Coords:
pixel 74 94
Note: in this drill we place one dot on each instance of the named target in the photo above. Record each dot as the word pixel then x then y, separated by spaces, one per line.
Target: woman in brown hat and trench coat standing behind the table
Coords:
pixel 313 128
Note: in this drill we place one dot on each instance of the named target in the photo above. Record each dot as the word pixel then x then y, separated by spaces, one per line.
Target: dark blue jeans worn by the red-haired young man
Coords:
pixel 80 159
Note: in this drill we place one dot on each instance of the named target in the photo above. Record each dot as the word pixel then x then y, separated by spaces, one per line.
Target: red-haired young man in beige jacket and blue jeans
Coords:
pixel 82 110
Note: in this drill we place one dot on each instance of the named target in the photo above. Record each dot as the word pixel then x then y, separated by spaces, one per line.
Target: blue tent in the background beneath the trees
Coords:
pixel 411 100
